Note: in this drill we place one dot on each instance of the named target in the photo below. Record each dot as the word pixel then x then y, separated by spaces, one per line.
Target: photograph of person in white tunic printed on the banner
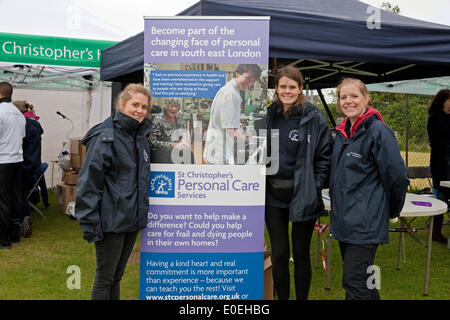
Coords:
pixel 207 113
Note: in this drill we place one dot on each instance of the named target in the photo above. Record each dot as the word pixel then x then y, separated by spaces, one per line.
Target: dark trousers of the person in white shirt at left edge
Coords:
pixel 10 202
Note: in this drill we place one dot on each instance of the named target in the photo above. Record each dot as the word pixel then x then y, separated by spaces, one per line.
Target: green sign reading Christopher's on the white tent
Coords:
pixel 43 50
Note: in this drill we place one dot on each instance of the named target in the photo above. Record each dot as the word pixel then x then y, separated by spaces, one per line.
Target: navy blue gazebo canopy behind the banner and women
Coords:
pixel 325 39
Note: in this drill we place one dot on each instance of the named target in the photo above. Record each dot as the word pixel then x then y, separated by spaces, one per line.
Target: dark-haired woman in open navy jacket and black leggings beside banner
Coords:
pixel 294 192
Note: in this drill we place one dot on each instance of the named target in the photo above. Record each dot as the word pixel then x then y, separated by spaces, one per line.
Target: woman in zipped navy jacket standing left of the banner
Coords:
pixel 112 188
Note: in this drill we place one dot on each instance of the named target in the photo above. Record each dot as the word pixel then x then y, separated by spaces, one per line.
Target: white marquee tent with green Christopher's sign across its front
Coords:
pixel 72 87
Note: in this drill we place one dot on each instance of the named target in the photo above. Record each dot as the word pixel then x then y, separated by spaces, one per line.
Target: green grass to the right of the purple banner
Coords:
pixel 404 284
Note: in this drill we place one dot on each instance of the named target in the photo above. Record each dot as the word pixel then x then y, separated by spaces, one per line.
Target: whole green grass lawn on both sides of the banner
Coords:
pixel 36 268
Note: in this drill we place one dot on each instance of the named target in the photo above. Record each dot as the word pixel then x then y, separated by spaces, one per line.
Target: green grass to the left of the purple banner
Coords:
pixel 36 268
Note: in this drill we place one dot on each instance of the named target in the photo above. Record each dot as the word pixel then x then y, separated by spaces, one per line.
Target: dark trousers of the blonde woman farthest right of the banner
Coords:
pixel 356 259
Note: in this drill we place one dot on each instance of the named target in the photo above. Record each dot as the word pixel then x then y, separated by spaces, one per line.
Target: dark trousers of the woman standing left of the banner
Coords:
pixel 112 255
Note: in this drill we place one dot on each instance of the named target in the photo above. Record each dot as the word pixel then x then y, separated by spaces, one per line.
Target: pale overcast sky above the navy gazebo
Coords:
pixel 129 14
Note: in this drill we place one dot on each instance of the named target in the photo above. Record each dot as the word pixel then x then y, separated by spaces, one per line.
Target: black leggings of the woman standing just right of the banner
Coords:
pixel 277 222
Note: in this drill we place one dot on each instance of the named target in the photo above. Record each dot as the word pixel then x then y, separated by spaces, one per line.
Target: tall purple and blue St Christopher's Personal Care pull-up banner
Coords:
pixel 204 238
